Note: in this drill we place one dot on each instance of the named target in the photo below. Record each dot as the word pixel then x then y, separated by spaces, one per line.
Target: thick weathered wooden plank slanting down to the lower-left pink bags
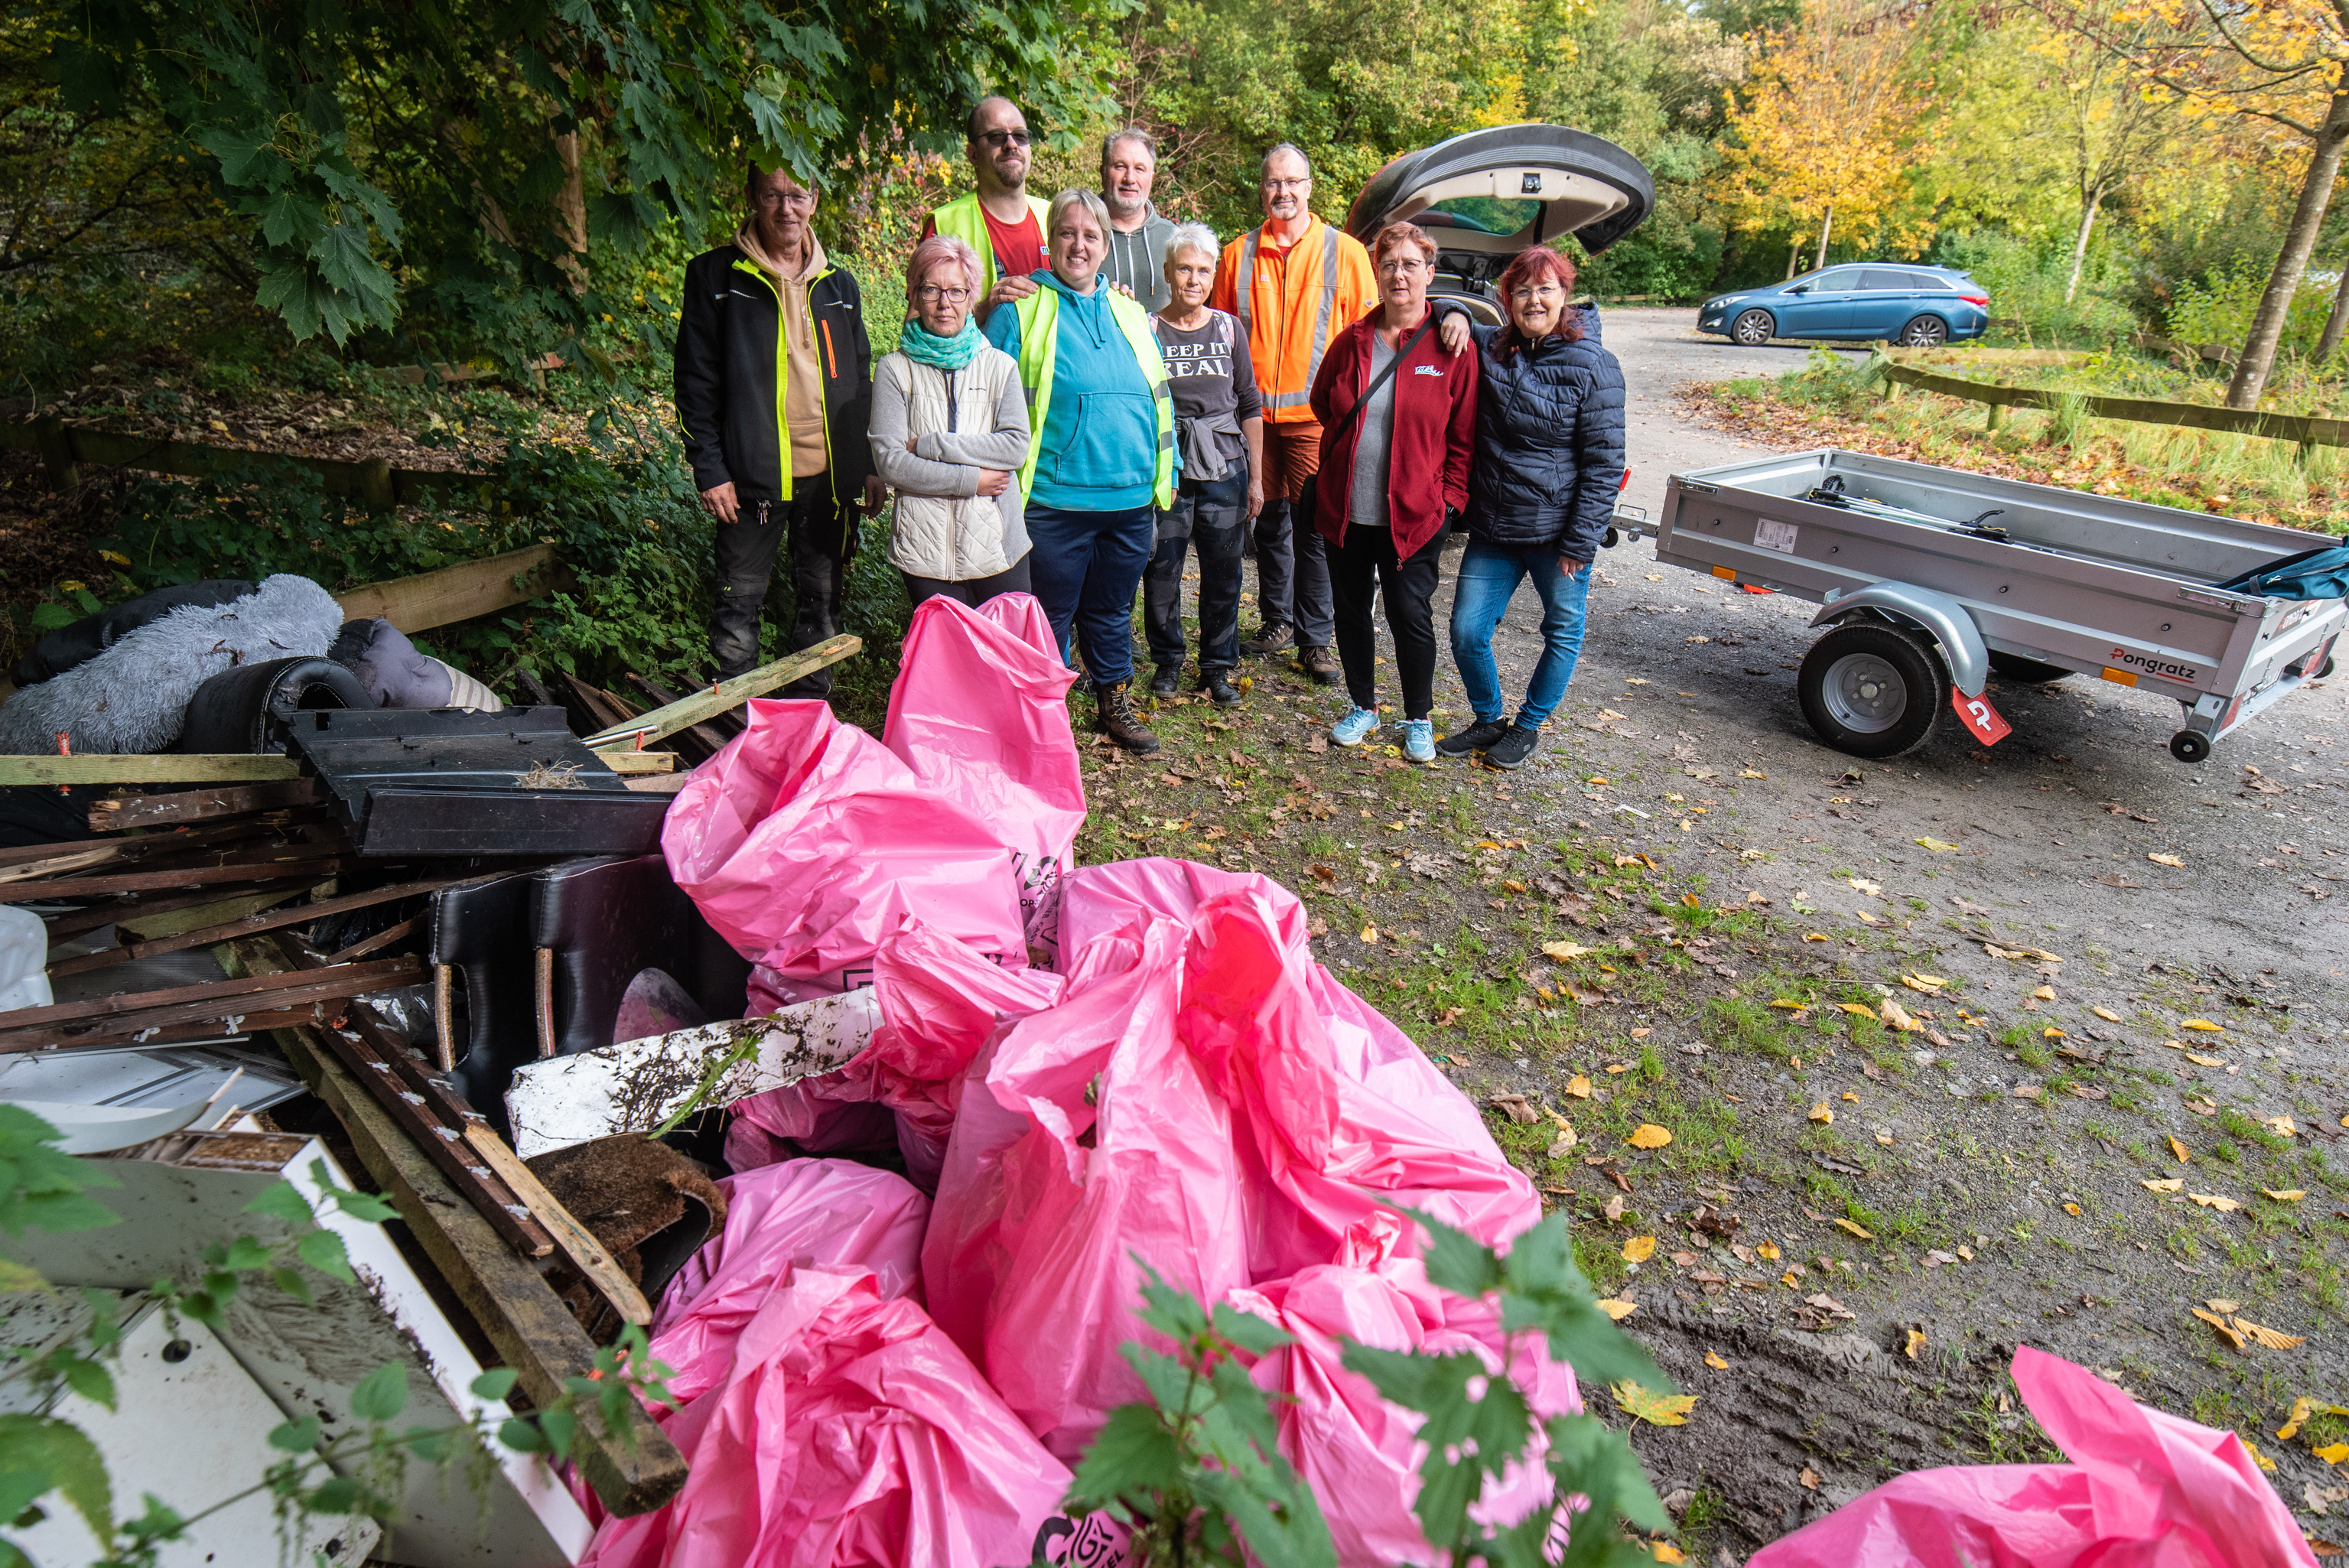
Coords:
pixel 527 1325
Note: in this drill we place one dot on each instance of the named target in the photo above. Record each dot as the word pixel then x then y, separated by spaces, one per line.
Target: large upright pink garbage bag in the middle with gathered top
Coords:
pixel 1084 1135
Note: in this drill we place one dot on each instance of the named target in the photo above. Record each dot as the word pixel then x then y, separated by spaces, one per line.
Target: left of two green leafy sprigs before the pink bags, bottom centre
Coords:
pixel 1197 1471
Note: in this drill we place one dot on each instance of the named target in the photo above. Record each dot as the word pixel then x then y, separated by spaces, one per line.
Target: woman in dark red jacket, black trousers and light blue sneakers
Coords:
pixel 1394 468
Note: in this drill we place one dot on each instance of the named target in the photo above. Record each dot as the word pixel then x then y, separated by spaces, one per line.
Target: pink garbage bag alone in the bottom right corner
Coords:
pixel 2143 1489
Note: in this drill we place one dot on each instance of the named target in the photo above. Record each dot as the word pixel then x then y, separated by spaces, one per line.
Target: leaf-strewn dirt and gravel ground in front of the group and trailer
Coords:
pixel 1979 1048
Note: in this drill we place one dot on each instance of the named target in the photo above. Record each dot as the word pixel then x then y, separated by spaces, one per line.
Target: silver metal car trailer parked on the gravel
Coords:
pixel 1932 581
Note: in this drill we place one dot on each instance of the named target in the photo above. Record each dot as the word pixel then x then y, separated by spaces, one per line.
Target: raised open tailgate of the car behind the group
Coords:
pixel 1486 196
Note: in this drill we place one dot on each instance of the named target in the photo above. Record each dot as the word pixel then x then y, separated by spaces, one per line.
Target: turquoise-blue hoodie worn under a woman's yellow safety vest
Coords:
pixel 1098 450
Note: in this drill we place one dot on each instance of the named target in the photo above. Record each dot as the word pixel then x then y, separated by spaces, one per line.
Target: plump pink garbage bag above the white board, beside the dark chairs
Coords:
pixel 805 844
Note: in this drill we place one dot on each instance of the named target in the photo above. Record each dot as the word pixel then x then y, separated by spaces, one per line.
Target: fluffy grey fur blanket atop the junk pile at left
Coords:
pixel 135 696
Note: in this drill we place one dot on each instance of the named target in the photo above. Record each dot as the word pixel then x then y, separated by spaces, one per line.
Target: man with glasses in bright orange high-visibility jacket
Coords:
pixel 1293 283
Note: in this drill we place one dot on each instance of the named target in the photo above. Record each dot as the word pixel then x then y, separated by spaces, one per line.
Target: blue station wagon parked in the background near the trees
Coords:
pixel 1869 302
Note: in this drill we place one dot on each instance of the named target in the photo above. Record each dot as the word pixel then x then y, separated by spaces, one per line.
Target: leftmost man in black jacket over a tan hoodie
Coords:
pixel 774 391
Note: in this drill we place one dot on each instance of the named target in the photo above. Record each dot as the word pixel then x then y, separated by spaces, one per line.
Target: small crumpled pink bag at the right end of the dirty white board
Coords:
pixel 938 1006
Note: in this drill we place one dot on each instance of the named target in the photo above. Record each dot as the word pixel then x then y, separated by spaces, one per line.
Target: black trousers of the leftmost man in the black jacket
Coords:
pixel 821 536
